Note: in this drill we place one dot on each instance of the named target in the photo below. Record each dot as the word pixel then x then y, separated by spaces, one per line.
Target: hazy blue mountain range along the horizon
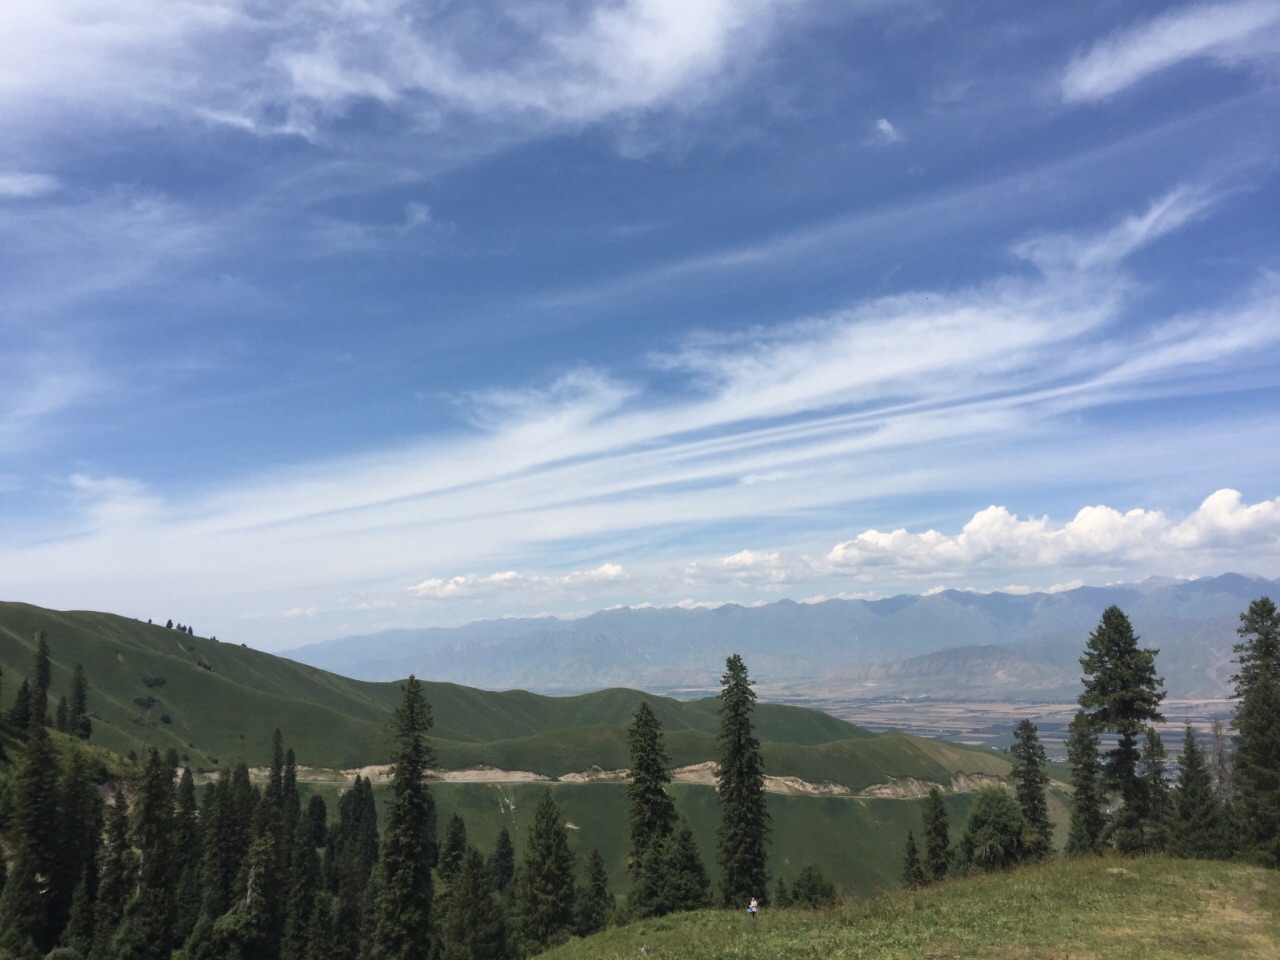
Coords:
pixel 947 644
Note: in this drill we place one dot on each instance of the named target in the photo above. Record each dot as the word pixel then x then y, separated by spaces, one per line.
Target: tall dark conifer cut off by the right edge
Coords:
pixel 1256 771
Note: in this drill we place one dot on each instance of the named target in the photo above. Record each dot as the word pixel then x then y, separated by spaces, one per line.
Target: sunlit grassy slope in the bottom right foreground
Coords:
pixel 1096 909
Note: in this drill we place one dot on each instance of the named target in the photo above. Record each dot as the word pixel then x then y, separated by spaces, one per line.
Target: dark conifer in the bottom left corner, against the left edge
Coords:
pixel 29 906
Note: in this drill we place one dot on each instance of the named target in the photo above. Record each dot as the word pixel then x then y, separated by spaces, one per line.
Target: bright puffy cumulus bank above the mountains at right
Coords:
pixel 1098 538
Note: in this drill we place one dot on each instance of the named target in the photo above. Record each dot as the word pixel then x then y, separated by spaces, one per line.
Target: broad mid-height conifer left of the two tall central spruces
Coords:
pixel 545 885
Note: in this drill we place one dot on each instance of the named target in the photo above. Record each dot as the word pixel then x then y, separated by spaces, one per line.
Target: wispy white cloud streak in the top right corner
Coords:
pixel 1228 33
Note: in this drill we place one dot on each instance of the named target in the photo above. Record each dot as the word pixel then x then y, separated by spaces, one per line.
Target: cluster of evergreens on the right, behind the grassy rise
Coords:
pixel 1223 803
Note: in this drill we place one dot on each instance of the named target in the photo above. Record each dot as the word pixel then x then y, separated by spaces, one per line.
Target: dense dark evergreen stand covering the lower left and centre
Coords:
pixel 152 868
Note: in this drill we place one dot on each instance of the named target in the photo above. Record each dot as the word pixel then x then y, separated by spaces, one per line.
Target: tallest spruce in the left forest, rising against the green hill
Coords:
pixel 403 883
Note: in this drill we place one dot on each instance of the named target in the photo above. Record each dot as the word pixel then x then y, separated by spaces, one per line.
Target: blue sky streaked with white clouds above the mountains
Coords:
pixel 328 317
